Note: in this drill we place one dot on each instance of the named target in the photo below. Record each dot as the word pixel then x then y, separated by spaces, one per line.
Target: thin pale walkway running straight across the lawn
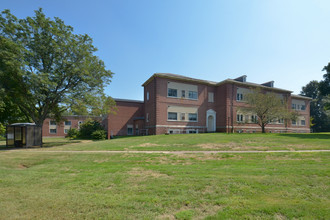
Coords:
pixel 169 152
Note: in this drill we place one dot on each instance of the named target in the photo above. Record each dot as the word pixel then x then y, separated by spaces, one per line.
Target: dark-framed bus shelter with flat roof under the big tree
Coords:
pixel 23 135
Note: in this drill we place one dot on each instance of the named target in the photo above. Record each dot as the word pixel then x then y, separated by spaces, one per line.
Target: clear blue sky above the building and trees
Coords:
pixel 287 41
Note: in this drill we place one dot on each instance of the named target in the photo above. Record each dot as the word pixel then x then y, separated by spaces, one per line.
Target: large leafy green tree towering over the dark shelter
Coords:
pixel 43 64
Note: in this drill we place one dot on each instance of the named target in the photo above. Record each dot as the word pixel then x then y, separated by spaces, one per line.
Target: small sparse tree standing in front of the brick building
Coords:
pixel 268 107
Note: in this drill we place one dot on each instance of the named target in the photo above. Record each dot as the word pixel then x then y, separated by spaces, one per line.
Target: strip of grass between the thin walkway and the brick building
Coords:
pixel 200 142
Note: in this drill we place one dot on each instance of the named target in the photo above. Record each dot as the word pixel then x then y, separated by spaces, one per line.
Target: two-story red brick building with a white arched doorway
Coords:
pixel 178 104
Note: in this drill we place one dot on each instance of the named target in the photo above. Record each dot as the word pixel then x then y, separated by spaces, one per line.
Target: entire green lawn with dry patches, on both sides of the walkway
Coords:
pixel 45 185
